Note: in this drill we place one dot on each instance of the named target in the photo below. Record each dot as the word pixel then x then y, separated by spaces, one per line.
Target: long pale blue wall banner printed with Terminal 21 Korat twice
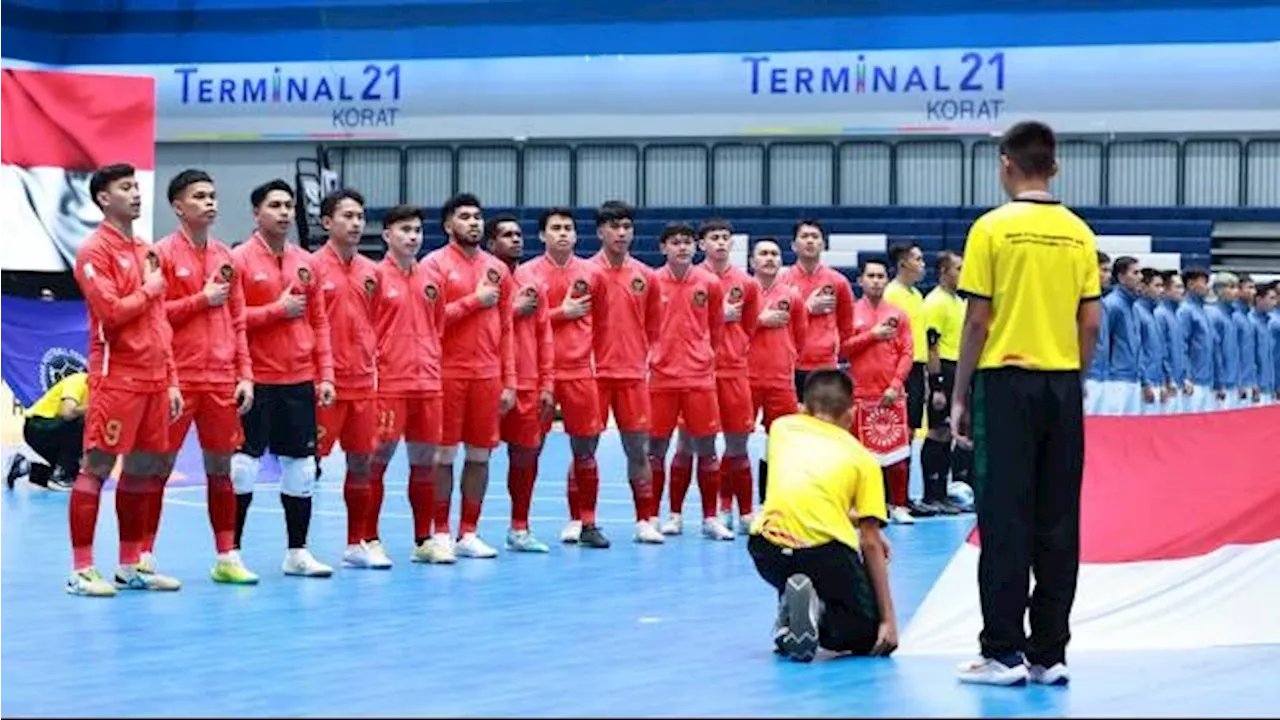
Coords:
pixel 1081 90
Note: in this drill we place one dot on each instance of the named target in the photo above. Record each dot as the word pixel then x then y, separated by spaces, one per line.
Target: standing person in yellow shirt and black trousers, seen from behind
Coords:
pixel 1031 276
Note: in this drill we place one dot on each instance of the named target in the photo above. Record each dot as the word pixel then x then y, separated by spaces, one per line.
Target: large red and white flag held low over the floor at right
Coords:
pixel 1181 541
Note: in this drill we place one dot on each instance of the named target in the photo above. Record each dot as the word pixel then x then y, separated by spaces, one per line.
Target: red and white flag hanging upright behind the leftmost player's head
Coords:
pixel 56 130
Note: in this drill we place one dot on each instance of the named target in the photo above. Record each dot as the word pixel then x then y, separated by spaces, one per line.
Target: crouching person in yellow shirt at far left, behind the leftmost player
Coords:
pixel 54 427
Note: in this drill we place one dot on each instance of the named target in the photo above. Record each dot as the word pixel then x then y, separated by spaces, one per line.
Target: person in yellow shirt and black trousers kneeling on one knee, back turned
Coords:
pixel 817 539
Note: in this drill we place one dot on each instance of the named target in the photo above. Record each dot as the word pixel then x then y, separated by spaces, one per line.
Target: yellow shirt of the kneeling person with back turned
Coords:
pixel 817 473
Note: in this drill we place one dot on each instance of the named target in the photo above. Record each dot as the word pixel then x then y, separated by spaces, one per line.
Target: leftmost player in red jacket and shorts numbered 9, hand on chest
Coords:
pixel 134 385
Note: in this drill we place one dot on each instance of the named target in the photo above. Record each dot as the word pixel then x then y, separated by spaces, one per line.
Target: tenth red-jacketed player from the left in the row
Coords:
pixel 683 376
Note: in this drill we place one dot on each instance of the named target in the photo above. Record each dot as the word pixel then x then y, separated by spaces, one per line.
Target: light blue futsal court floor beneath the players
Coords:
pixel 634 631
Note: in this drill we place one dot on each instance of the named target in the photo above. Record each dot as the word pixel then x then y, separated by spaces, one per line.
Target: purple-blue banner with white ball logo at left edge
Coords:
pixel 40 344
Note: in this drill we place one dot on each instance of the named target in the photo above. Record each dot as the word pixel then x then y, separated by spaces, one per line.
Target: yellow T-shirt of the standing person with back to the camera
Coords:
pixel 1036 262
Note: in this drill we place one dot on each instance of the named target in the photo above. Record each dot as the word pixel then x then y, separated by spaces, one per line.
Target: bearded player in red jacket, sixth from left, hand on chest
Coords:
pixel 479 370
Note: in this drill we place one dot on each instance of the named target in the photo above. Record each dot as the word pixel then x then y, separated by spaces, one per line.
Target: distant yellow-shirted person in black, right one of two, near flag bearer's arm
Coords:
pixel 944 318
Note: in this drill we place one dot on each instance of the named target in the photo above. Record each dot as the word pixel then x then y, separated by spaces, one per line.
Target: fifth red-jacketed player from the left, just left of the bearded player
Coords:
pixel 410 315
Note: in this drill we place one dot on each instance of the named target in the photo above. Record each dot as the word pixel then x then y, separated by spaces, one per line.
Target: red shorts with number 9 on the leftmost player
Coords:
pixel 126 421
